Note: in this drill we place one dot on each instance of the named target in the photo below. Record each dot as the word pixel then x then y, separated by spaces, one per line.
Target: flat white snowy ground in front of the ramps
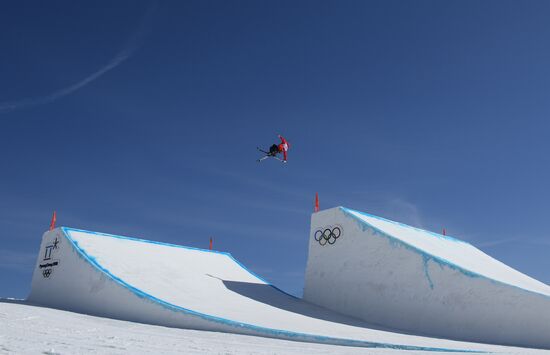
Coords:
pixel 28 329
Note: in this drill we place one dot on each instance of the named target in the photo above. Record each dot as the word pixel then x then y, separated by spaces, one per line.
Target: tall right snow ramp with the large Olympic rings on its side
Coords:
pixel 402 277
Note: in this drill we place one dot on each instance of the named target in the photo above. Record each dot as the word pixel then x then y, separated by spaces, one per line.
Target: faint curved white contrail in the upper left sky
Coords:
pixel 126 52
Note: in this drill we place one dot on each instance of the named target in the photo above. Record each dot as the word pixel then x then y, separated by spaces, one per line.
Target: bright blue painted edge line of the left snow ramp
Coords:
pixel 269 332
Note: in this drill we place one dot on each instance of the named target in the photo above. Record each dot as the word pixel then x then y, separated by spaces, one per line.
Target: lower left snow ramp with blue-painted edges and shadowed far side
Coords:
pixel 163 284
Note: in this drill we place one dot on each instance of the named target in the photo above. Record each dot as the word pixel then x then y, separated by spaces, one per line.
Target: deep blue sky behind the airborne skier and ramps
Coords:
pixel 142 119
